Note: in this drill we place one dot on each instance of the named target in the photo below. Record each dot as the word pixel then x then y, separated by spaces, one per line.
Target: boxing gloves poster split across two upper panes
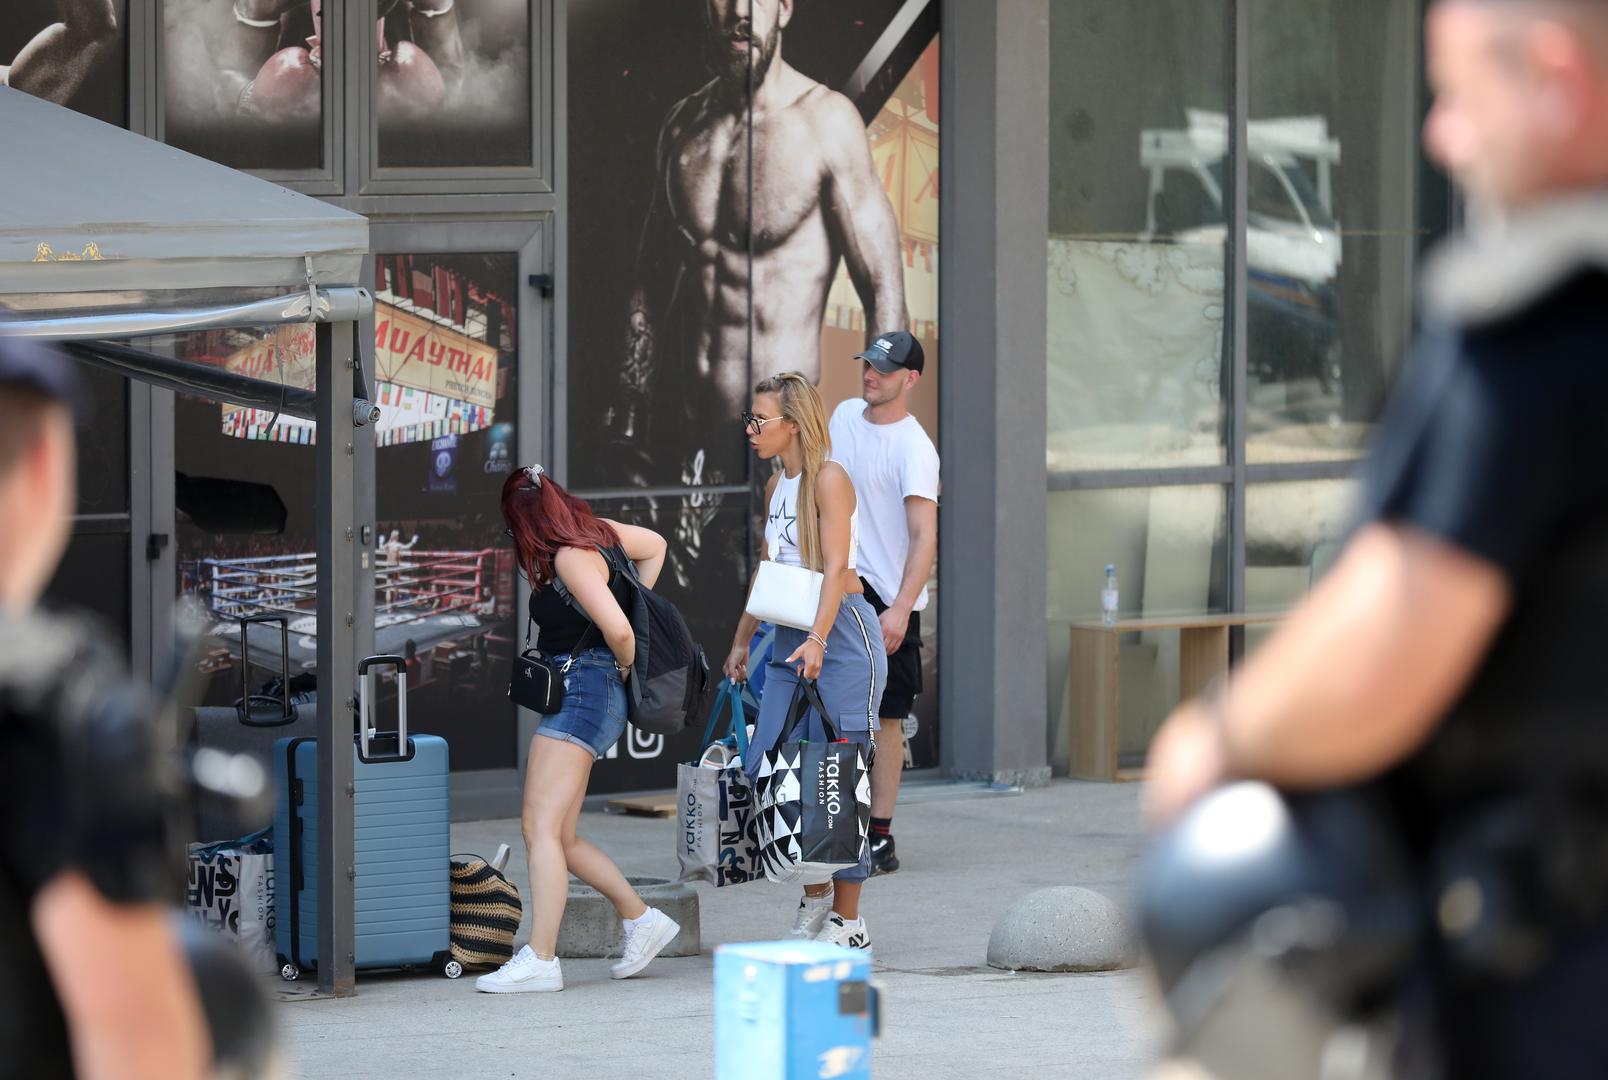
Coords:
pixel 245 81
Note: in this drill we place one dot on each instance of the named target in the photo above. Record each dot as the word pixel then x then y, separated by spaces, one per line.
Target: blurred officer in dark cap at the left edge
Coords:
pixel 94 981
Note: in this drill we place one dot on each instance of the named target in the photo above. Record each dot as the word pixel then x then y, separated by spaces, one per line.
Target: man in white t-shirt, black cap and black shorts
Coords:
pixel 895 470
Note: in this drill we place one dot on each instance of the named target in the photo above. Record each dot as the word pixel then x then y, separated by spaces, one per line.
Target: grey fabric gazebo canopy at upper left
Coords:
pixel 105 234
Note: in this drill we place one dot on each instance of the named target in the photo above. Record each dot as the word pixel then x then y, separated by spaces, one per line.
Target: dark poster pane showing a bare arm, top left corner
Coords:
pixel 68 52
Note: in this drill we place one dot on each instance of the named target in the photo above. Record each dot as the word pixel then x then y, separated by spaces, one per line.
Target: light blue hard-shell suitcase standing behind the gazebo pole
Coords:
pixel 403 845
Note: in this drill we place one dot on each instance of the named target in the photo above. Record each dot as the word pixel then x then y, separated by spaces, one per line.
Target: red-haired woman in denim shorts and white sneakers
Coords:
pixel 557 538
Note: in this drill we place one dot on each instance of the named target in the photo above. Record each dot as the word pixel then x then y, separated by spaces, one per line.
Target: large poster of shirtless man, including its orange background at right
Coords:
pixel 728 224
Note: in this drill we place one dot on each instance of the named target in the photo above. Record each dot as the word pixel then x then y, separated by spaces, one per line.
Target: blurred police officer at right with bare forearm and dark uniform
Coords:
pixel 1453 663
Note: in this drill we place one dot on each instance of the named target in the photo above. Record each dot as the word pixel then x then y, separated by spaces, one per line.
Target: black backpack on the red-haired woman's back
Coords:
pixel 671 676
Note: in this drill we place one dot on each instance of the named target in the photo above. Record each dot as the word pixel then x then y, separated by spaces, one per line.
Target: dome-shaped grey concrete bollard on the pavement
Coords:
pixel 1064 930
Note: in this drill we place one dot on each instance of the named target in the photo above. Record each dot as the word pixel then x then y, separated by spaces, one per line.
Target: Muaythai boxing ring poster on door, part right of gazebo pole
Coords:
pixel 446 584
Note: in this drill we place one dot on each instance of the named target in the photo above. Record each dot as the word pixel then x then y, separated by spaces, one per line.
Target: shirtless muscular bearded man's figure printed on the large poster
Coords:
pixel 765 181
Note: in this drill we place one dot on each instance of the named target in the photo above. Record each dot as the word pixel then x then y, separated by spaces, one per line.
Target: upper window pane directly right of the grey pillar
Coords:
pixel 1138 239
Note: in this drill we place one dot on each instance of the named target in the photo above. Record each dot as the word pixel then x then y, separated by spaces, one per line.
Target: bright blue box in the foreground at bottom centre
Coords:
pixel 792 1012
